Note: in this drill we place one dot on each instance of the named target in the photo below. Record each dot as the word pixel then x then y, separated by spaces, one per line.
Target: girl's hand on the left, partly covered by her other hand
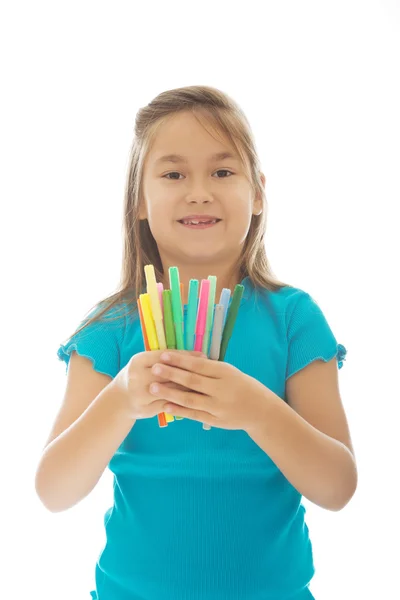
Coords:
pixel 133 382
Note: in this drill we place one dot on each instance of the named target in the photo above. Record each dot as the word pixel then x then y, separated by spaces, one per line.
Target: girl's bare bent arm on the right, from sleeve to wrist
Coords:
pixel 313 451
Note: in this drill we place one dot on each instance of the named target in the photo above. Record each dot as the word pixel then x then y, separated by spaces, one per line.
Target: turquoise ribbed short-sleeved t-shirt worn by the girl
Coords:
pixel 207 515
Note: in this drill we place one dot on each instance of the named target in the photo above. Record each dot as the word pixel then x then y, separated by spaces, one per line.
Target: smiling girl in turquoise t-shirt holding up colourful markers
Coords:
pixel 202 515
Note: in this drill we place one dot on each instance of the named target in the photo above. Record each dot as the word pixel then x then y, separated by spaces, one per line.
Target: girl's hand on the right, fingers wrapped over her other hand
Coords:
pixel 220 395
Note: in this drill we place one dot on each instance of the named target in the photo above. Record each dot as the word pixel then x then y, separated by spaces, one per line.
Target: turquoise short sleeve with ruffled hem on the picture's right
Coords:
pixel 310 336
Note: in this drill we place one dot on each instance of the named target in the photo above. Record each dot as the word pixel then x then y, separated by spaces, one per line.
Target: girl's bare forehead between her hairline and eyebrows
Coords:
pixel 185 137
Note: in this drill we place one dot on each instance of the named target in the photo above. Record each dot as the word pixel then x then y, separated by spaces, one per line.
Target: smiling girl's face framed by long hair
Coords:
pixel 200 186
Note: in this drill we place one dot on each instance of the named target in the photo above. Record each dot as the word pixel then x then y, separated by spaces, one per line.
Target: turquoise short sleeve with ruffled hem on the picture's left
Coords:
pixel 100 341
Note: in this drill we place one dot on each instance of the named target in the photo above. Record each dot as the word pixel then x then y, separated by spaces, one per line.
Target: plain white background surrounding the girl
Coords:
pixel 319 82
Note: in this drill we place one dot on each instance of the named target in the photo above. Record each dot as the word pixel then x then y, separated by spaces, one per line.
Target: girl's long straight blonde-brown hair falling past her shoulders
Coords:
pixel 139 246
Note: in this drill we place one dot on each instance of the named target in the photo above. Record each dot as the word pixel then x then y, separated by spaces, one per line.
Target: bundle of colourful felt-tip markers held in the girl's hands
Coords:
pixel 207 327
